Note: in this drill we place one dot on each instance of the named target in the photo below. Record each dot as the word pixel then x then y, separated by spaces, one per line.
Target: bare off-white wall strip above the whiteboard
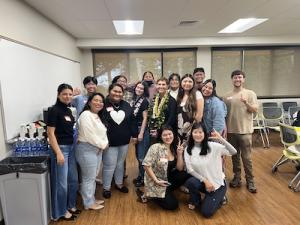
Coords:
pixel 21 23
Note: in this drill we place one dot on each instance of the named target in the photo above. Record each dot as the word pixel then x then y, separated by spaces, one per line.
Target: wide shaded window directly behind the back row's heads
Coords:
pixel 133 63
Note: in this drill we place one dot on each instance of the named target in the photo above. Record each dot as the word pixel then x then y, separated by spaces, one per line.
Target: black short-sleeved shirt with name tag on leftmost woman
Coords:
pixel 60 117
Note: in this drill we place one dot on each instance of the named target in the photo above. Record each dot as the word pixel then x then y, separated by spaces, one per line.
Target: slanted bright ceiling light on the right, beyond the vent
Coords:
pixel 242 25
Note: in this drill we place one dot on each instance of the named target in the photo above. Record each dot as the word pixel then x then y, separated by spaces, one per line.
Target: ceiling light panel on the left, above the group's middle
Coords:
pixel 129 27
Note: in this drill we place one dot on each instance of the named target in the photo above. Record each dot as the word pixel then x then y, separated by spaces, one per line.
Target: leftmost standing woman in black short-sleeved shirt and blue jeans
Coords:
pixel 63 175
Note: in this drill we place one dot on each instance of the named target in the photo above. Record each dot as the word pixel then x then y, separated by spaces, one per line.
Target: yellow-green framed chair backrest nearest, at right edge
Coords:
pixel 289 135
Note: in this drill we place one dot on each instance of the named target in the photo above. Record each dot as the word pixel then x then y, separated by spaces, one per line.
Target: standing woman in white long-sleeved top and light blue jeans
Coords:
pixel 92 140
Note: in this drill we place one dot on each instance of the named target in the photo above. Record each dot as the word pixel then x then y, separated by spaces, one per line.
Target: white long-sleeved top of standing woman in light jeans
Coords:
pixel 92 130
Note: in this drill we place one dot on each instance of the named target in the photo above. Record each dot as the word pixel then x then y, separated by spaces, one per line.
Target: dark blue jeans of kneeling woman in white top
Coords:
pixel 212 200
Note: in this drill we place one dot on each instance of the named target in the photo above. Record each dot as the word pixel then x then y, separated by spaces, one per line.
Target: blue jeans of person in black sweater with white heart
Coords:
pixel 113 165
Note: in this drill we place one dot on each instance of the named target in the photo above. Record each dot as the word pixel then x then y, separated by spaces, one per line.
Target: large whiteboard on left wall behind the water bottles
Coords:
pixel 29 79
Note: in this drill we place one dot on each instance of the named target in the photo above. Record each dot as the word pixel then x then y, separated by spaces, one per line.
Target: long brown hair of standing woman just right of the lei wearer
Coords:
pixel 191 105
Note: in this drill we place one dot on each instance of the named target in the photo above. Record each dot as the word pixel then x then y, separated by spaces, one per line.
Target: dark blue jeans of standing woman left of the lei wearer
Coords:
pixel 141 149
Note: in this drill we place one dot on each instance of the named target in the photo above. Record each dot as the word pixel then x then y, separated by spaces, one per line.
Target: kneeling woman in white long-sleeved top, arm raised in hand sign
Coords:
pixel 203 161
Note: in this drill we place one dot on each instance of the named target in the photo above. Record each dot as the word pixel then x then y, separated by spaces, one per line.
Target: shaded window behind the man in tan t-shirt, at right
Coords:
pixel 270 71
